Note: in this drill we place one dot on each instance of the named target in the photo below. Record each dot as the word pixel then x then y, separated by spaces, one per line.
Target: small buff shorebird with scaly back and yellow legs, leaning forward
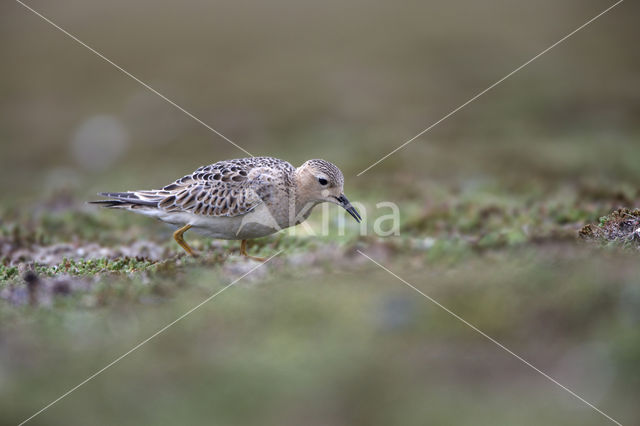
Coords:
pixel 239 199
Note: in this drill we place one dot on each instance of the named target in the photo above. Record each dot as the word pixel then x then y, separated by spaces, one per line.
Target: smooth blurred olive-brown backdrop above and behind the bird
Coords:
pixel 302 80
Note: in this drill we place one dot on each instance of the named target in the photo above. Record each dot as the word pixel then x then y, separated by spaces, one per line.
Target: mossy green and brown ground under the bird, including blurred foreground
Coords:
pixel 320 320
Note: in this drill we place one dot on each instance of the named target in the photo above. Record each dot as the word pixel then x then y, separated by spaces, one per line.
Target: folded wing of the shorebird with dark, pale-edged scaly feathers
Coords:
pixel 221 189
